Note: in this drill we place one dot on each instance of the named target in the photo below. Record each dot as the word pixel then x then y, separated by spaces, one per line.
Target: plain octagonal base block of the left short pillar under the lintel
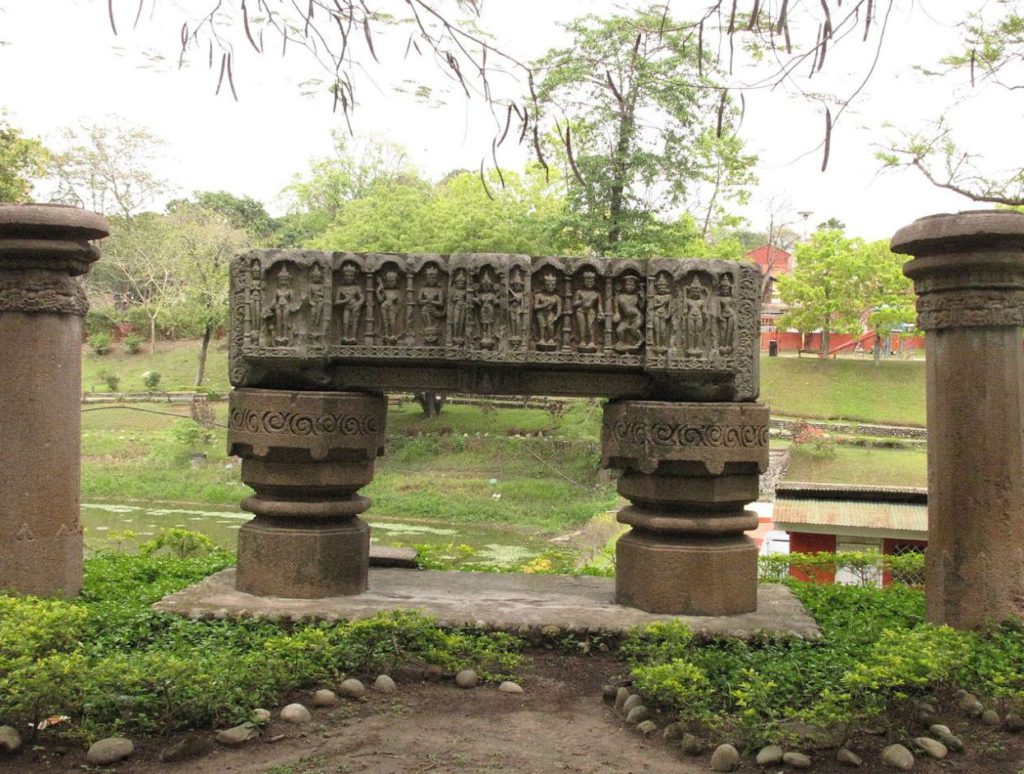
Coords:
pixel 285 558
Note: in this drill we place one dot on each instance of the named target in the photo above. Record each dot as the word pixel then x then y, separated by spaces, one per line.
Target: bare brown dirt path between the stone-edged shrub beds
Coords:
pixel 560 724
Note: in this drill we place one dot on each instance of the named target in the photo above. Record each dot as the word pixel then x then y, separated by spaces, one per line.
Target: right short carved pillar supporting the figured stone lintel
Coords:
pixel 689 469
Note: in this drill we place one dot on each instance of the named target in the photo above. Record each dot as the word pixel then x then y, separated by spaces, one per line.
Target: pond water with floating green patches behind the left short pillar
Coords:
pixel 125 526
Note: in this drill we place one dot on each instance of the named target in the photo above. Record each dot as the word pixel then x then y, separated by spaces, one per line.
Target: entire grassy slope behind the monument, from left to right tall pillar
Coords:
pixel 546 483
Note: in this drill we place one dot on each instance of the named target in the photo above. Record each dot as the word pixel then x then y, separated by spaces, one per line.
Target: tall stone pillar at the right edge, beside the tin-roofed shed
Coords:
pixel 969 276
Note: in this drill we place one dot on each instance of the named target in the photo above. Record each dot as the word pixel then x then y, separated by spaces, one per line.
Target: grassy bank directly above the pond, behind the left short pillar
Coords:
pixel 548 484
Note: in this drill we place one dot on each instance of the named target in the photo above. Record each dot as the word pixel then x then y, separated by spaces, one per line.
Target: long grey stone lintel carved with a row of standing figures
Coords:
pixel 676 330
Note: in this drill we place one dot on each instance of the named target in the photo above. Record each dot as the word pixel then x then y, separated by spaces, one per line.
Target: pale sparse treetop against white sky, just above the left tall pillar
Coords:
pixel 109 169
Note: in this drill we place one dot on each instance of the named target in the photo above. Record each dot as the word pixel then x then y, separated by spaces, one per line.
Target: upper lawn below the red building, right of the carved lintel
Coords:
pixel 892 393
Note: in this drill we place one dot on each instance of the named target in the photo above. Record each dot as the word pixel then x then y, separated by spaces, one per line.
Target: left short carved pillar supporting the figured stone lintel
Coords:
pixel 307 455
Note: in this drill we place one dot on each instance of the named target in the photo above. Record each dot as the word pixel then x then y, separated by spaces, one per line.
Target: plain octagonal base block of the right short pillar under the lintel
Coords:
pixel 688 576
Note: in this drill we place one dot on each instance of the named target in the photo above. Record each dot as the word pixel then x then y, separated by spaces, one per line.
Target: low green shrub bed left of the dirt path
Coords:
pixel 115 666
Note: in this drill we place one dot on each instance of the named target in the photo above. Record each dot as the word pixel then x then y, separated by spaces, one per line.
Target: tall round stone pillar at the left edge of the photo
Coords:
pixel 42 249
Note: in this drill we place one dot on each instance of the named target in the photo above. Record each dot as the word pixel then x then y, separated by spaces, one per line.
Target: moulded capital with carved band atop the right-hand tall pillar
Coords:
pixel 968 269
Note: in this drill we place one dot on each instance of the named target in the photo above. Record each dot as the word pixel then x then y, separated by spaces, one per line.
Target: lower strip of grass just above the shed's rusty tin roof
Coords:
pixel 854 465
